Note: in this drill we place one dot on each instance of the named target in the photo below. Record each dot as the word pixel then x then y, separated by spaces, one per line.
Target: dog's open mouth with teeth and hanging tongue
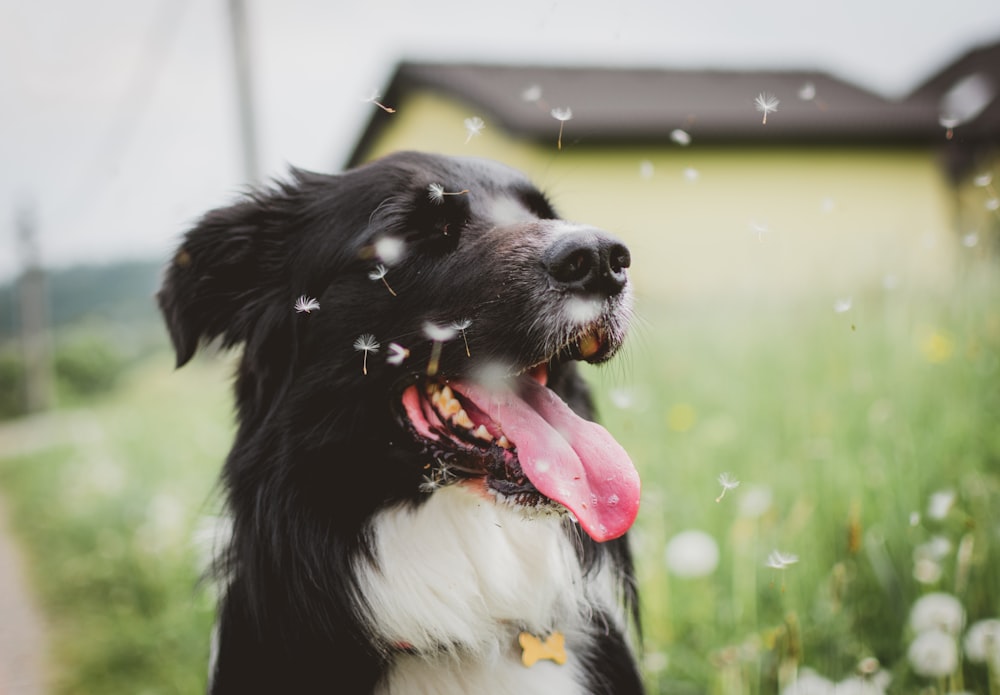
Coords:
pixel 522 443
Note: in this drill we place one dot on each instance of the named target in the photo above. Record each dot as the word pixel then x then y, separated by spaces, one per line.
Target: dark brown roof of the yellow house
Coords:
pixel 621 105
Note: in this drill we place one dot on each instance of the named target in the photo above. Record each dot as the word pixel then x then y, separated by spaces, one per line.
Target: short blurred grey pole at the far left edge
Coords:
pixel 34 315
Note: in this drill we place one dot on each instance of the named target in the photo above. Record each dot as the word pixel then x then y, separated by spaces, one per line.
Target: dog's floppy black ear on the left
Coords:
pixel 225 278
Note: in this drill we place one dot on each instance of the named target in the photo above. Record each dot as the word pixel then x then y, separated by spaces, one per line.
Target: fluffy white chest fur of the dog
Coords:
pixel 457 578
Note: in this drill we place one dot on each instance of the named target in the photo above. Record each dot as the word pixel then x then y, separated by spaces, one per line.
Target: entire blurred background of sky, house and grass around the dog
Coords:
pixel 811 392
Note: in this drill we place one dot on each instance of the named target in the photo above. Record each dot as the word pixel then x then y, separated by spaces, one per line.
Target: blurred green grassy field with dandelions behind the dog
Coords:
pixel 866 443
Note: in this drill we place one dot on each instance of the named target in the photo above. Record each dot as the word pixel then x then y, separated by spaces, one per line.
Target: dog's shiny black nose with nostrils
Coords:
pixel 588 261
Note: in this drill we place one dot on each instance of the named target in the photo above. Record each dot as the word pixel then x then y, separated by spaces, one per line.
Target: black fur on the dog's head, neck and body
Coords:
pixel 320 446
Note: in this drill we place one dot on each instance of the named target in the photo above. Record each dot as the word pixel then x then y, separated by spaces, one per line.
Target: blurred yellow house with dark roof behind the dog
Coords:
pixel 837 191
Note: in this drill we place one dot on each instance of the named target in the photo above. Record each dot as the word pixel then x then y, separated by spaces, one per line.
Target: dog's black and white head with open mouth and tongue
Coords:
pixel 452 304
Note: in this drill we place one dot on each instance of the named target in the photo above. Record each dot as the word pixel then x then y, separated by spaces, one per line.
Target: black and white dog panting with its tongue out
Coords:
pixel 420 501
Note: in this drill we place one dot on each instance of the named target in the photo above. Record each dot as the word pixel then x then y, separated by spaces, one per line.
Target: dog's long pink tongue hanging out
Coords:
pixel 570 460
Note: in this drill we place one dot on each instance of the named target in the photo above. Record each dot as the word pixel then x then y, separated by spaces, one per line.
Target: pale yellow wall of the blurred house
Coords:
pixel 755 220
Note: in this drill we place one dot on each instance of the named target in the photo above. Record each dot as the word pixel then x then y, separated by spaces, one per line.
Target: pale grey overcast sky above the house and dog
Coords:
pixel 119 118
